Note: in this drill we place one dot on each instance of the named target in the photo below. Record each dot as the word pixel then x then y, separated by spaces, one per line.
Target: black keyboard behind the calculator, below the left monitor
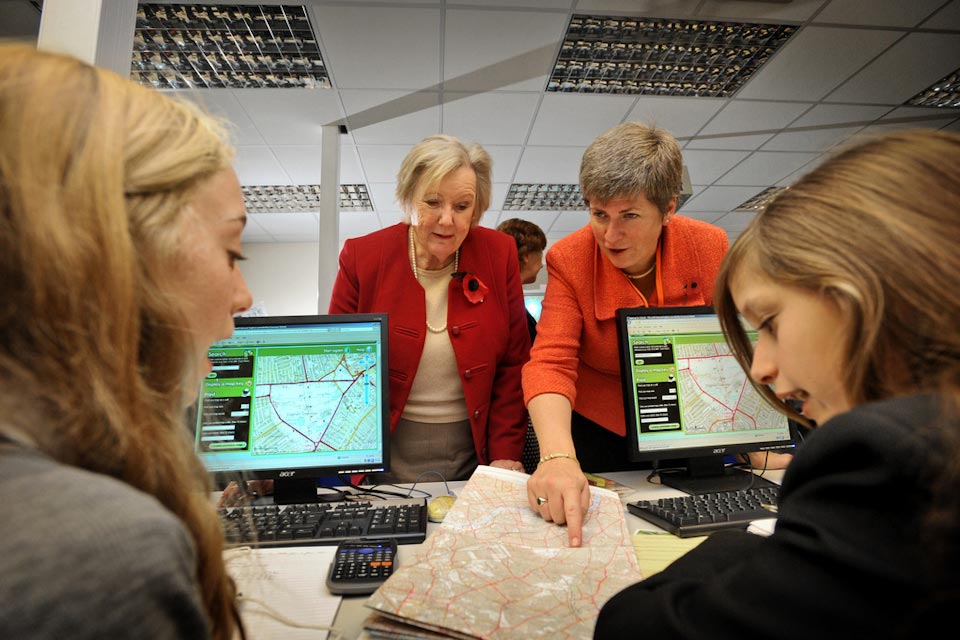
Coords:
pixel 286 525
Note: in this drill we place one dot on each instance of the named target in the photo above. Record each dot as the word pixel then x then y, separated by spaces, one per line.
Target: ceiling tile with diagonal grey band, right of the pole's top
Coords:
pixel 391 117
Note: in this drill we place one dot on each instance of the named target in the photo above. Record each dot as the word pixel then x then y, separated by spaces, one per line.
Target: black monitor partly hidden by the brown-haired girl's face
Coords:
pixel 688 401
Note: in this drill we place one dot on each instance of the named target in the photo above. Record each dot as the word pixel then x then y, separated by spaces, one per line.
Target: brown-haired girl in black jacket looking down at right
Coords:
pixel 850 278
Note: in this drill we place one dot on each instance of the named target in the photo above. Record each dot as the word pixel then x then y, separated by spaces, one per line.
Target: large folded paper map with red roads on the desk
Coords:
pixel 494 569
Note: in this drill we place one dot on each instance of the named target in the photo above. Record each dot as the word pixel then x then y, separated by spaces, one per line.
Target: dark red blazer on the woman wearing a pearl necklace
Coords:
pixel 490 339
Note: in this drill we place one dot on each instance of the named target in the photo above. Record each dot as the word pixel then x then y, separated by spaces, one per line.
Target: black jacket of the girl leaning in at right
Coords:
pixel 845 554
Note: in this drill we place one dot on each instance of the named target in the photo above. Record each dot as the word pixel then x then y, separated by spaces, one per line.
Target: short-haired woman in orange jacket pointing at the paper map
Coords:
pixel 636 251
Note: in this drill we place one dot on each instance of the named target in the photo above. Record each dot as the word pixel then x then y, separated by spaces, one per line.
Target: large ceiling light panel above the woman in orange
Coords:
pixel 652 56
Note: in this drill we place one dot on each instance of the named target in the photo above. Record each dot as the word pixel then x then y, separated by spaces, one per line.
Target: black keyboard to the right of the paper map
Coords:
pixel 704 514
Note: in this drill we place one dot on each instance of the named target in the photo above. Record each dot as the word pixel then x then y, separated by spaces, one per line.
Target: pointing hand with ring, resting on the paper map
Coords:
pixel 558 491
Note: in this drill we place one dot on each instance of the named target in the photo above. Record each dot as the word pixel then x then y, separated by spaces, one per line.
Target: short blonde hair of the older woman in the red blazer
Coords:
pixel 434 158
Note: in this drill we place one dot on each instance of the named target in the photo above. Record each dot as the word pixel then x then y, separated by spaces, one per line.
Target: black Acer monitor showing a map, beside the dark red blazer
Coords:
pixel 295 399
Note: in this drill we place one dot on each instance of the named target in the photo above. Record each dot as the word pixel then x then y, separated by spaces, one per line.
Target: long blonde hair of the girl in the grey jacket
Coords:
pixel 95 175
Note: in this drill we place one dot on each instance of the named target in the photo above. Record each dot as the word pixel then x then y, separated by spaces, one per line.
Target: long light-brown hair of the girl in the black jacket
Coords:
pixel 875 229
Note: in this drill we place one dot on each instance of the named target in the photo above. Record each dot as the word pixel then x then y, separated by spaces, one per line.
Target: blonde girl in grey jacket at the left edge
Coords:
pixel 120 225
